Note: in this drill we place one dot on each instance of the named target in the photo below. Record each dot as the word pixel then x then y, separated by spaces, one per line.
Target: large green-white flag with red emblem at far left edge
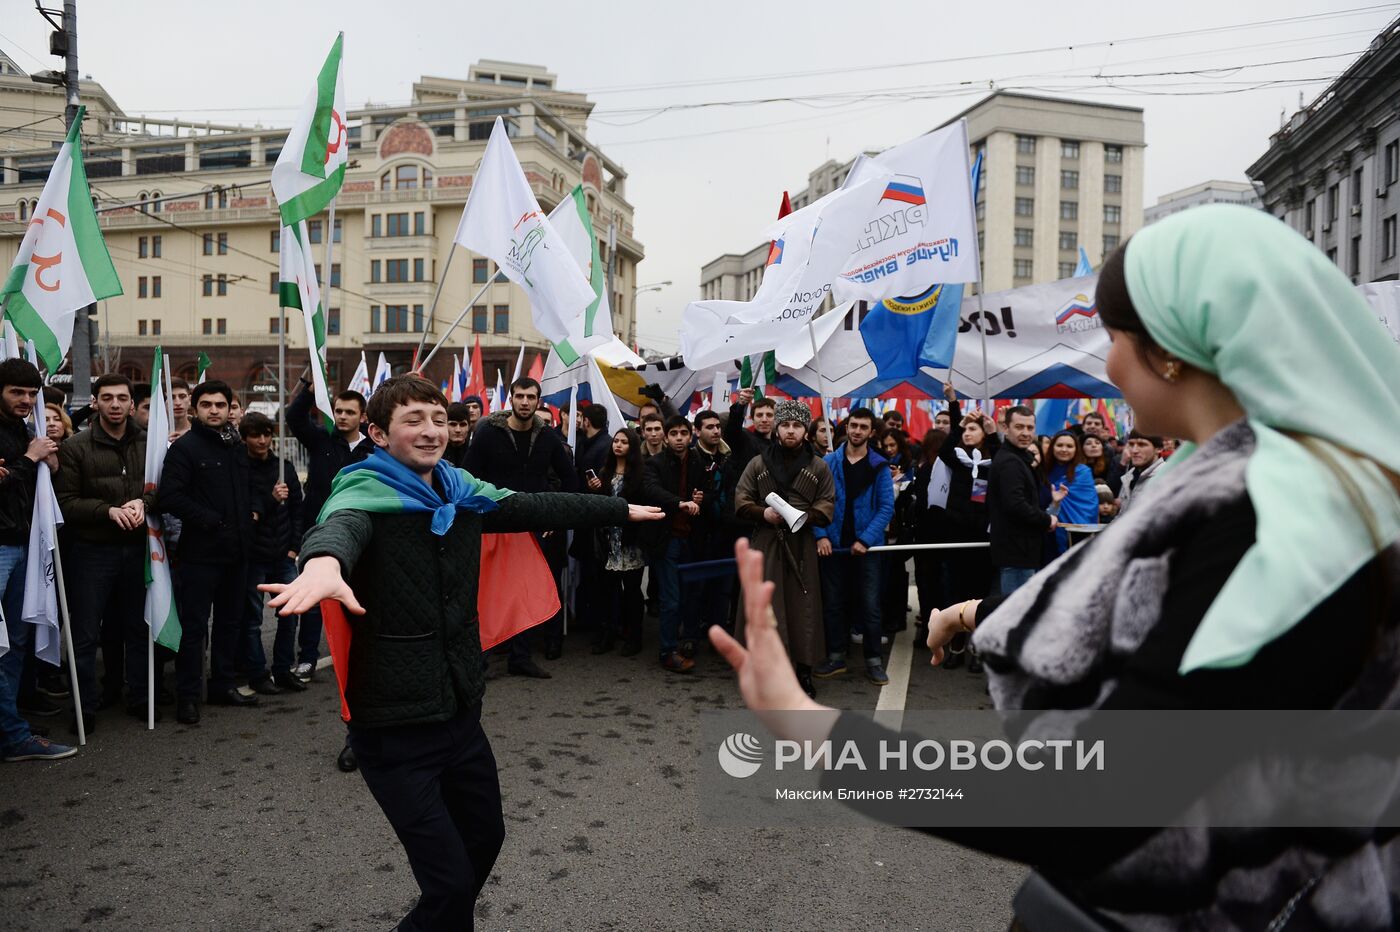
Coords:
pixel 62 264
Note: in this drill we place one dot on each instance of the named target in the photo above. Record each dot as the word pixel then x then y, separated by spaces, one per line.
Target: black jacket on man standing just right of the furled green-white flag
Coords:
pixel 205 485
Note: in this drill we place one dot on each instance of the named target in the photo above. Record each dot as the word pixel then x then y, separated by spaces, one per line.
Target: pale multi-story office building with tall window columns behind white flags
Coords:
pixel 1056 176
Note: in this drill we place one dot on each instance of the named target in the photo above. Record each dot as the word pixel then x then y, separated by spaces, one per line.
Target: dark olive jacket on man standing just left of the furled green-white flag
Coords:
pixel 99 472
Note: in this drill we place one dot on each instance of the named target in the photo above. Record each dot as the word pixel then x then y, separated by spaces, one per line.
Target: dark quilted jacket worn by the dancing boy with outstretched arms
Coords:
pixel 416 654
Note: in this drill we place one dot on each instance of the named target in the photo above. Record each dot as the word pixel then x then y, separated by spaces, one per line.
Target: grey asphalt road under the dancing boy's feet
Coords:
pixel 244 824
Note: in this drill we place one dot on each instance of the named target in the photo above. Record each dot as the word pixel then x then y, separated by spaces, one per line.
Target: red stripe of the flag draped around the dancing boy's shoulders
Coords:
pixel 516 591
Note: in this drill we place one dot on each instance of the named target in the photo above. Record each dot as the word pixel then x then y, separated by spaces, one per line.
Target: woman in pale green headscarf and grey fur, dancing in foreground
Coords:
pixel 1258 573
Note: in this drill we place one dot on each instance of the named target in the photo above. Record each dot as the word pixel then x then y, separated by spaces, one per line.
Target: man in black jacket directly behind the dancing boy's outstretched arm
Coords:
pixel 517 450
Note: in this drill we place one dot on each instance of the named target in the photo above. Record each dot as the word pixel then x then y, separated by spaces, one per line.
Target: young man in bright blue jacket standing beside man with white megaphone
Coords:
pixel 850 583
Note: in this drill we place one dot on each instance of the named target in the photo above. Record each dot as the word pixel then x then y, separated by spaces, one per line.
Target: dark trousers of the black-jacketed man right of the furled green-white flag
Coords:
pixel 219 587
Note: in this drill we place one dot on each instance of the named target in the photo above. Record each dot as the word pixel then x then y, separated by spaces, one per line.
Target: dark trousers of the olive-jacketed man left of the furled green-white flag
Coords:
pixel 108 601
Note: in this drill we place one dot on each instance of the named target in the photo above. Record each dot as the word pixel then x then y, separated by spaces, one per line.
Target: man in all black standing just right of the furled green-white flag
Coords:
pixel 205 485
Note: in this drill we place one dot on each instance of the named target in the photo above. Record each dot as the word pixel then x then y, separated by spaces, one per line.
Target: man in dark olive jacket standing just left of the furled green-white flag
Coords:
pixel 100 488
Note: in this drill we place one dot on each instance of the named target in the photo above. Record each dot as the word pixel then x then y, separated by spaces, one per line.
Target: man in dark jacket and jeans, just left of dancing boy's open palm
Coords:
pixel 276 541
